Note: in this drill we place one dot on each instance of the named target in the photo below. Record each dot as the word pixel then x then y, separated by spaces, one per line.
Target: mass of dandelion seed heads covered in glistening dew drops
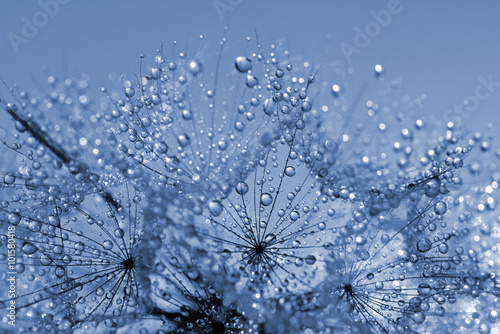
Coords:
pixel 244 194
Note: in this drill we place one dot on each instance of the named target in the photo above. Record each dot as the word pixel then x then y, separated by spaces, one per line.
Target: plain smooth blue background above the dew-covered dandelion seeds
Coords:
pixel 448 49
